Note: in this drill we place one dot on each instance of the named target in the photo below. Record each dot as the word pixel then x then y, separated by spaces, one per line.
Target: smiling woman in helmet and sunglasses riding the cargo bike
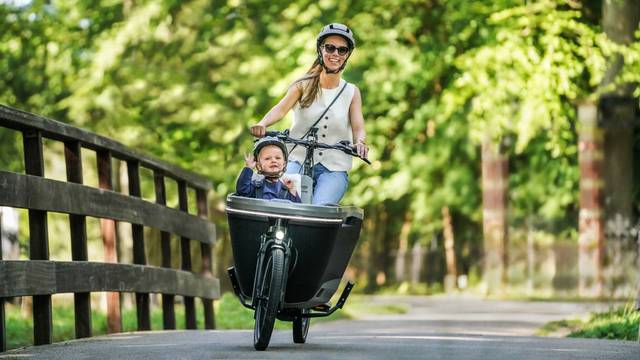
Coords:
pixel 322 98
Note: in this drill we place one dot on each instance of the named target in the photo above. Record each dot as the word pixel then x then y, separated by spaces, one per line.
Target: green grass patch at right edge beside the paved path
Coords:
pixel 621 324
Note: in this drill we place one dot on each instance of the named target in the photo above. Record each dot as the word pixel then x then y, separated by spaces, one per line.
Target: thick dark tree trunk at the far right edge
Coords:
pixel 617 111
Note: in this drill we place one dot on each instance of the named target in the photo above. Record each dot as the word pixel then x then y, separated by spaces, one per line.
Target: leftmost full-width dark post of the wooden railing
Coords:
pixel 38 238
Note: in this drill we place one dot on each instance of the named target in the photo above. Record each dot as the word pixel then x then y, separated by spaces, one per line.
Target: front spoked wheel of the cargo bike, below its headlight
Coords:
pixel 268 299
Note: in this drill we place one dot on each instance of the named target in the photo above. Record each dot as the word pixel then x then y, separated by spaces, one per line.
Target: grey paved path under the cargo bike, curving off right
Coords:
pixel 434 328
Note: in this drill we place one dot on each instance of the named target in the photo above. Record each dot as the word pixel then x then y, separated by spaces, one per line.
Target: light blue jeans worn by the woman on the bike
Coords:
pixel 328 186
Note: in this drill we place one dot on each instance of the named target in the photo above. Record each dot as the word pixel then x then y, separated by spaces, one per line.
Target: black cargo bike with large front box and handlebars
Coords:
pixel 289 258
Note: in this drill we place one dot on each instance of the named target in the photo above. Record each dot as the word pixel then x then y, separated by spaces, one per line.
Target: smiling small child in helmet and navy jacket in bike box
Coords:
pixel 270 159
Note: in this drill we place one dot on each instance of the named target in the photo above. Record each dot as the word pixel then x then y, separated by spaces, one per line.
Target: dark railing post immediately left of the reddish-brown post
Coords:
pixel 78 228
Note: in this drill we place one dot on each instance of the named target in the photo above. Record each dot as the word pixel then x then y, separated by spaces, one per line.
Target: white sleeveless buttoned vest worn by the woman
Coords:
pixel 334 126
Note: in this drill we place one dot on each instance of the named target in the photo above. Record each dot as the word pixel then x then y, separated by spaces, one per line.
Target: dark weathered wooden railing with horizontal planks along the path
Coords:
pixel 40 277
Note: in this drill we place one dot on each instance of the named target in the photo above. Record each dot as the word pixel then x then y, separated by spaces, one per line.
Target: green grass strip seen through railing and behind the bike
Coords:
pixel 230 314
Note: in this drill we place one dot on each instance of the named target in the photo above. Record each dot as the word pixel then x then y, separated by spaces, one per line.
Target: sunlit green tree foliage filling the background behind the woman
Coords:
pixel 183 80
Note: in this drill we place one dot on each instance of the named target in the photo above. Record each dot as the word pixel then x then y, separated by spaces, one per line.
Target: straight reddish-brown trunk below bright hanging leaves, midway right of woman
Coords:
pixel 494 216
